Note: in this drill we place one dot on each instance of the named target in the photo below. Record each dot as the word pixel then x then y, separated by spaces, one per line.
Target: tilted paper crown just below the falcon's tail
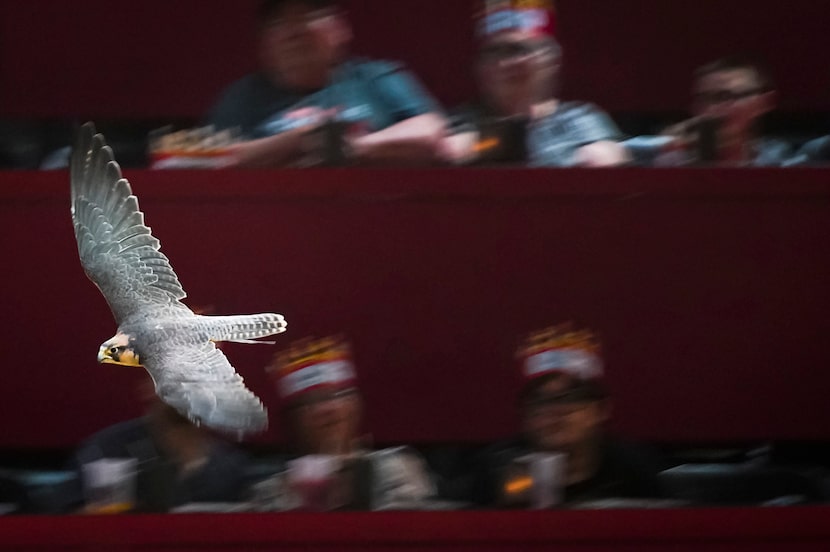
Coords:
pixel 311 364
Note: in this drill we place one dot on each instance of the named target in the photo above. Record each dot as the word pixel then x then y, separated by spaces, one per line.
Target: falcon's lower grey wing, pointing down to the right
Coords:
pixel 200 383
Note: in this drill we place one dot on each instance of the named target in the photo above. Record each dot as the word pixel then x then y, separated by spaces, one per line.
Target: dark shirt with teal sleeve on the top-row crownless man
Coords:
pixel 373 94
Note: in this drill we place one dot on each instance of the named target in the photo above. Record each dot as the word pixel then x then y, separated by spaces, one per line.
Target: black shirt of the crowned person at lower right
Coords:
pixel 625 471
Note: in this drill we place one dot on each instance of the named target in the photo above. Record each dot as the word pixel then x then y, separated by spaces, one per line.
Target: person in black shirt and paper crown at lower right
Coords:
pixel 564 407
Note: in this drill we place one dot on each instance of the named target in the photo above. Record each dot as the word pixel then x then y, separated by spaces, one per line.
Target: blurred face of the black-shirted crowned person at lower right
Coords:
pixel 552 424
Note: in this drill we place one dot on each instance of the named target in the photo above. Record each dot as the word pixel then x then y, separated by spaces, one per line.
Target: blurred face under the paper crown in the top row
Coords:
pixel 516 70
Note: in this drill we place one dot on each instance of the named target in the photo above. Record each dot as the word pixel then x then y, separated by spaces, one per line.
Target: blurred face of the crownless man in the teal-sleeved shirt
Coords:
pixel 300 45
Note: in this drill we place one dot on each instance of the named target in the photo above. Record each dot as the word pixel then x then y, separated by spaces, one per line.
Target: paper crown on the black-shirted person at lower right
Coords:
pixel 561 349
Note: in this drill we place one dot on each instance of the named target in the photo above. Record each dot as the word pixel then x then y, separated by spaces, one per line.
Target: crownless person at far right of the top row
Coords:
pixel 730 97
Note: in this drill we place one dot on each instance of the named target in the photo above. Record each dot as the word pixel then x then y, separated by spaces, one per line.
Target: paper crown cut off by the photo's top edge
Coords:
pixel 536 17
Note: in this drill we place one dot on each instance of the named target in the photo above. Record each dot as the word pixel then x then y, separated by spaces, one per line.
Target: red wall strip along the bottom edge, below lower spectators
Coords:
pixel 629 530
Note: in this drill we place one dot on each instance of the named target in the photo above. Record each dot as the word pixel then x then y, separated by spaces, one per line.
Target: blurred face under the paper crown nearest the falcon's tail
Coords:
pixel 327 421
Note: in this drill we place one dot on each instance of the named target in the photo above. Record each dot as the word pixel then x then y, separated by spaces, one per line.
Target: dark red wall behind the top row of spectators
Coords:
pixel 155 58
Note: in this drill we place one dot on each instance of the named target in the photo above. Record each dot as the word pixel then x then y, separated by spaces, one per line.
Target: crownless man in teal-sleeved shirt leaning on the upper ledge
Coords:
pixel 309 85
